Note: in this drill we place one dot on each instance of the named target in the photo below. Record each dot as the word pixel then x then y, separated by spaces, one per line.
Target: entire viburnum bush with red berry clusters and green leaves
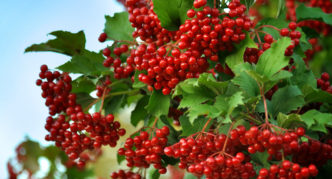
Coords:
pixel 218 79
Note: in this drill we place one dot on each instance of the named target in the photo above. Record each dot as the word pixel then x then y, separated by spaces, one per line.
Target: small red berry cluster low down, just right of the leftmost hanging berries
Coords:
pixel 141 151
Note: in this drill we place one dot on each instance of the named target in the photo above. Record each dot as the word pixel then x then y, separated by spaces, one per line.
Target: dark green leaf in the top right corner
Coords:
pixel 312 13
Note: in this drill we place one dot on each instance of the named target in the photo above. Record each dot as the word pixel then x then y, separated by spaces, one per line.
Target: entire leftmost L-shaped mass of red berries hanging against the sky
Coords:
pixel 66 129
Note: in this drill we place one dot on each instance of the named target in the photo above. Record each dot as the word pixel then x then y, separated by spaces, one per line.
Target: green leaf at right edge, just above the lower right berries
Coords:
pixel 317 121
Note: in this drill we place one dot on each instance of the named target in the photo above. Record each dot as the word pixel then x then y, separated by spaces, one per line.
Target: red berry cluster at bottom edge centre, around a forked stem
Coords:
pixel 202 156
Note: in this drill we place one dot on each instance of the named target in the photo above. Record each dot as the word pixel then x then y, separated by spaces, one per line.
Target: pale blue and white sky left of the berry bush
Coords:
pixel 25 22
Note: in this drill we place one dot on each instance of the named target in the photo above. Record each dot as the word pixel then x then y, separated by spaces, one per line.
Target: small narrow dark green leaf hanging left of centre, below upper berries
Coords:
pixel 139 113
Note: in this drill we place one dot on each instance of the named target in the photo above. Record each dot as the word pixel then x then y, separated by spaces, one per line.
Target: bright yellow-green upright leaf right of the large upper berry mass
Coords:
pixel 273 59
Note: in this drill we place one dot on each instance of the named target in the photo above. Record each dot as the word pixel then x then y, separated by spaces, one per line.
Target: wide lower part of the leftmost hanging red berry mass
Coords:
pixel 67 133
